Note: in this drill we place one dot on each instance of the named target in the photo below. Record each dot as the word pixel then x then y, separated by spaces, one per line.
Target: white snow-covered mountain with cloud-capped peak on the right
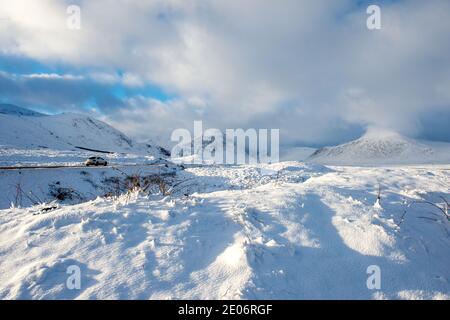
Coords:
pixel 378 147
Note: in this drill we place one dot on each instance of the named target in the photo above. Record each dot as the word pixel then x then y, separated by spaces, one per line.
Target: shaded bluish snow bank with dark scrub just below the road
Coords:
pixel 25 187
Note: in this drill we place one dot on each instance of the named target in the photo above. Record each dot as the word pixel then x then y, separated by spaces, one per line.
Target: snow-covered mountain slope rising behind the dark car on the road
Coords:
pixel 26 129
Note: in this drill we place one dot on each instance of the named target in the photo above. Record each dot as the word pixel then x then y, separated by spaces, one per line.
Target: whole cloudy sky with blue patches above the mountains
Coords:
pixel 308 67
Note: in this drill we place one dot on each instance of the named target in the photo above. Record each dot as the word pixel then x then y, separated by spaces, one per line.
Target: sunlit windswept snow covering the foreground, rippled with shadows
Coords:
pixel 280 231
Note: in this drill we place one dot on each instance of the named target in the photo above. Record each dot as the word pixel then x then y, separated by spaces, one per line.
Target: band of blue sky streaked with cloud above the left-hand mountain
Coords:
pixel 68 94
